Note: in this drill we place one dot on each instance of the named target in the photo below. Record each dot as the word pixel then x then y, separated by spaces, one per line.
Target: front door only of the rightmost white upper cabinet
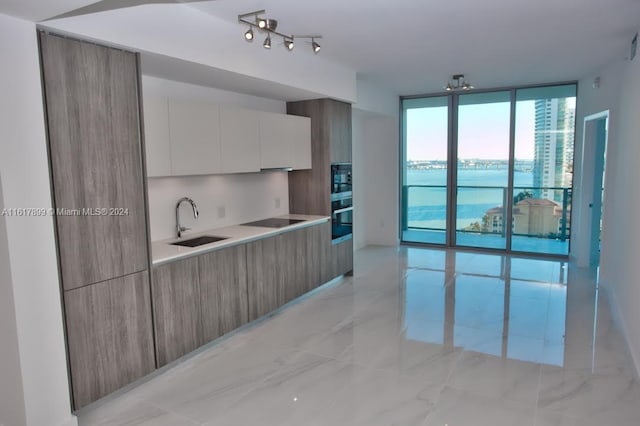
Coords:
pixel 274 141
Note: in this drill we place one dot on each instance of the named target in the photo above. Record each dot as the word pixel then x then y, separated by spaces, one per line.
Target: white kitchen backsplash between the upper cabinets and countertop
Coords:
pixel 222 200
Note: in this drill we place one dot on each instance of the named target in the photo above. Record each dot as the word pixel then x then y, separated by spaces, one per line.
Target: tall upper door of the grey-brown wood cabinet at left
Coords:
pixel 95 151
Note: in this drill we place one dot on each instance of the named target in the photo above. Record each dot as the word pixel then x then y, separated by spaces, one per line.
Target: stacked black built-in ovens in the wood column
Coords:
pixel 341 202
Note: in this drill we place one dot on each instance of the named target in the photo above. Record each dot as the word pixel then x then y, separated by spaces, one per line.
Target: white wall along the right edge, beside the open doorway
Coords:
pixel 620 268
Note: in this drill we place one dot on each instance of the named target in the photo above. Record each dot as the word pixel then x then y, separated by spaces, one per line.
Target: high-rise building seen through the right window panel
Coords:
pixel 554 137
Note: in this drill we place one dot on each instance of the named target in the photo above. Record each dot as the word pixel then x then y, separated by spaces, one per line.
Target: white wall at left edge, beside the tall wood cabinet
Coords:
pixel 32 256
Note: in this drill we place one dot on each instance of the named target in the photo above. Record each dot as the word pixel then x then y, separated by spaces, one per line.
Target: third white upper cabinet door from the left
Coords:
pixel 239 138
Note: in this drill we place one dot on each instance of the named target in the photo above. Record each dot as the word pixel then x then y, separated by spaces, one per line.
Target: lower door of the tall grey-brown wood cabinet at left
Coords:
pixel 109 335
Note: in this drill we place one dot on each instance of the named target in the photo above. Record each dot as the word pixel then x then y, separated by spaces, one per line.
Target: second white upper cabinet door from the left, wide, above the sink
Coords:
pixel 195 138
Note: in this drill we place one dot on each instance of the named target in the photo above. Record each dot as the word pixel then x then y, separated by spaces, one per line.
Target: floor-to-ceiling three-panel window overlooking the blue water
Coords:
pixel 490 169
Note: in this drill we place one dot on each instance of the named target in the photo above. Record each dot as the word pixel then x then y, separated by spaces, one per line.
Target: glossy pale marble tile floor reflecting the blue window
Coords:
pixel 416 336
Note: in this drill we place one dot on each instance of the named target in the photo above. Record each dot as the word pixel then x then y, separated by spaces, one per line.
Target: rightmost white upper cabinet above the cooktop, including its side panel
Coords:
pixel 285 141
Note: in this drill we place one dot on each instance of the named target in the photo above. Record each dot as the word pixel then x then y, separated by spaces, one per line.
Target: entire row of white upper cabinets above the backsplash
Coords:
pixel 184 137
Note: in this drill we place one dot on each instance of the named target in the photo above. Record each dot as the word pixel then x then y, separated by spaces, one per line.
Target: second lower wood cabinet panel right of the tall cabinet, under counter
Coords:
pixel 223 291
